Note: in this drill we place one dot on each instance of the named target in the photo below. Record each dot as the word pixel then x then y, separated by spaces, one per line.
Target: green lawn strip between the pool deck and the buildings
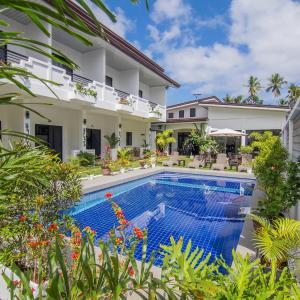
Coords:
pixel 96 170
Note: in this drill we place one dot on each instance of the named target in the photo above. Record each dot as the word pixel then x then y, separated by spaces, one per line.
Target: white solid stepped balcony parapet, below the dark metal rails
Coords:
pixel 103 97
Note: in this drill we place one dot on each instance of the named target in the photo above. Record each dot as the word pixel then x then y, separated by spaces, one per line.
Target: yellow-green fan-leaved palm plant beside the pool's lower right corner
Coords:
pixel 276 240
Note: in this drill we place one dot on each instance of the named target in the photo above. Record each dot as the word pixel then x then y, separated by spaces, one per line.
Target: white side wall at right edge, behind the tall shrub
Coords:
pixel 291 139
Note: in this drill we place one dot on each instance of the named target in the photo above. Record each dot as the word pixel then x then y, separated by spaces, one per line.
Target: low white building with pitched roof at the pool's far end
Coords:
pixel 216 114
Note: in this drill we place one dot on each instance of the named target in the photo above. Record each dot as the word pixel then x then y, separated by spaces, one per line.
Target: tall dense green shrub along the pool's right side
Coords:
pixel 278 177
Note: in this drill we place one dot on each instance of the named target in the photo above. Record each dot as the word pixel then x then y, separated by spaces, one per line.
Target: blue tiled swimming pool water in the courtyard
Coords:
pixel 204 209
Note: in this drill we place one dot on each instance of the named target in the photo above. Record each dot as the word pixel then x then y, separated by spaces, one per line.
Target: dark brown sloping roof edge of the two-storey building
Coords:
pixel 120 43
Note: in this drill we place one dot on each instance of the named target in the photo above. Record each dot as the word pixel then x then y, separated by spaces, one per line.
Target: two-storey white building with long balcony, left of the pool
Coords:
pixel 117 89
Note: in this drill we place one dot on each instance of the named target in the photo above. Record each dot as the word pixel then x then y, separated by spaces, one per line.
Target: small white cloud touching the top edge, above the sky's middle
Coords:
pixel 169 10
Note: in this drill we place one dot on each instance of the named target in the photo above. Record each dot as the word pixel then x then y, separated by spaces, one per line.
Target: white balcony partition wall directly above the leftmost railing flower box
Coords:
pixel 93 65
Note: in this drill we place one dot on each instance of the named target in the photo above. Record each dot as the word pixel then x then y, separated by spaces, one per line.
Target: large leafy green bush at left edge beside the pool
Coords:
pixel 34 188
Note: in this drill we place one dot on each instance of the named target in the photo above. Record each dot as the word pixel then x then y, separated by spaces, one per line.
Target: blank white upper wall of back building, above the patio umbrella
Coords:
pixel 245 119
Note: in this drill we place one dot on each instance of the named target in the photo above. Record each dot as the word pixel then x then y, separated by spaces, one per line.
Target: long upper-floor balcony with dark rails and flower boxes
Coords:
pixel 81 90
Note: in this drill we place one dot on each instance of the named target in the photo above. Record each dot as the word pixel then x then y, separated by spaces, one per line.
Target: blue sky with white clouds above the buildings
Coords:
pixel 211 47
